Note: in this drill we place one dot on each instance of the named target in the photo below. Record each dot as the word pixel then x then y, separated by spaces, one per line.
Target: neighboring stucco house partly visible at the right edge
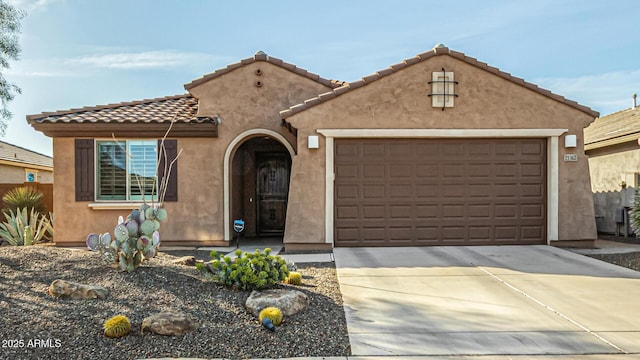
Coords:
pixel 613 147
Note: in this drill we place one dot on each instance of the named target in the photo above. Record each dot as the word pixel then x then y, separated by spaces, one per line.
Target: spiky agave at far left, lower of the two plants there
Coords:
pixel 22 228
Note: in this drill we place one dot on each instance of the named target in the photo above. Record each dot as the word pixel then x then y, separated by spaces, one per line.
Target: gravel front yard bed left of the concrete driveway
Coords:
pixel 35 325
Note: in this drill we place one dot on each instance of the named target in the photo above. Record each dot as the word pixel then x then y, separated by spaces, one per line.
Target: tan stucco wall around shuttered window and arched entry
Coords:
pixel 197 218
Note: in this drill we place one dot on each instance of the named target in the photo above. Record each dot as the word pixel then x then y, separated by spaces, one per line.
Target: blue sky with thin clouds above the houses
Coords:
pixel 87 52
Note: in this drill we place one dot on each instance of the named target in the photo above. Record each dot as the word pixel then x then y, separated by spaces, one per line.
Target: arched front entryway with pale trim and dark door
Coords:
pixel 257 171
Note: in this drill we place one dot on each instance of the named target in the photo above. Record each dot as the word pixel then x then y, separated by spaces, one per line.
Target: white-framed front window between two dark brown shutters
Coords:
pixel 126 170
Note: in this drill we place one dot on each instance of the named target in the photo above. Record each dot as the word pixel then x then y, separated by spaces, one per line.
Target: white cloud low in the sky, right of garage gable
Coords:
pixel 606 92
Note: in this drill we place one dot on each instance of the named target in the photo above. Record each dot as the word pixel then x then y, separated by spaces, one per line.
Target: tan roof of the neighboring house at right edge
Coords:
pixel 616 128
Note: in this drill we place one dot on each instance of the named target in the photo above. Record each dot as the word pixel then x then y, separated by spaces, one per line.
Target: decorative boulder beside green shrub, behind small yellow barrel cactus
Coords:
pixel 290 302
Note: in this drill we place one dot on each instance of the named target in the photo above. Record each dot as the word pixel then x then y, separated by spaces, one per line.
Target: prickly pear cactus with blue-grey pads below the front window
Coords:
pixel 135 239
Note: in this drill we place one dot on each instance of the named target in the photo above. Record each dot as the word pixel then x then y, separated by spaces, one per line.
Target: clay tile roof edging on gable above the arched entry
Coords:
pixel 260 56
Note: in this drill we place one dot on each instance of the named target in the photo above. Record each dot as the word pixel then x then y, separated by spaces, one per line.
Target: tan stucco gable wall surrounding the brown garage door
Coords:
pixel 400 101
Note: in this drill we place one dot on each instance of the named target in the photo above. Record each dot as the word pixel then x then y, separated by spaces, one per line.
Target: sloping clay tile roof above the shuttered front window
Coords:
pixel 183 107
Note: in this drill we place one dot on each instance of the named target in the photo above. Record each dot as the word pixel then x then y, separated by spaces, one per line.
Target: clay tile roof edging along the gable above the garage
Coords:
pixel 438 50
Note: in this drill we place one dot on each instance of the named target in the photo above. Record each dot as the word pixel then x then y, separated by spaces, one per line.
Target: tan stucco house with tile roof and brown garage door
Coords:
pixel 439 149
